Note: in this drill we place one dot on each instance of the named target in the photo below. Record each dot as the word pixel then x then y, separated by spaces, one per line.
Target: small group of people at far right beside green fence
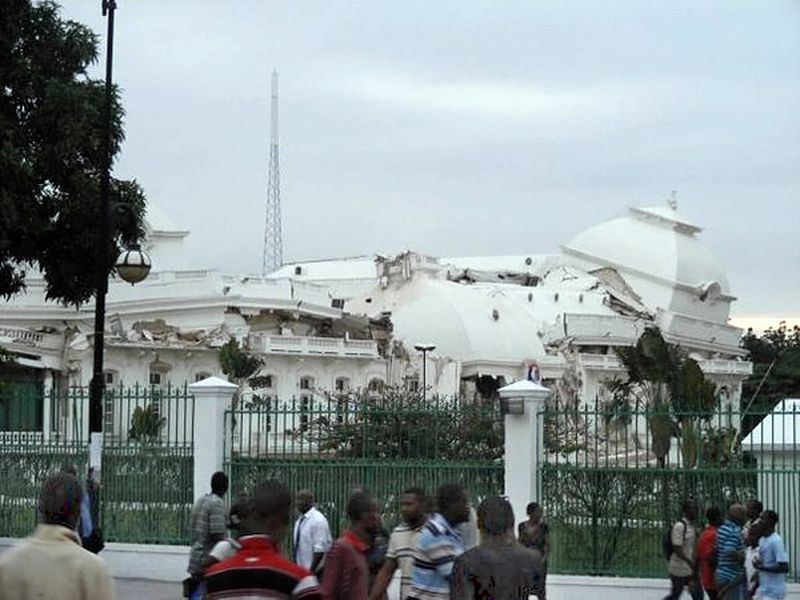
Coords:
pixel 737 558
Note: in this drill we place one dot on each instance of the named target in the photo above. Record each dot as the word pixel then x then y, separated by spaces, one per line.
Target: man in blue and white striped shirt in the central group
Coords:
pixel 439 545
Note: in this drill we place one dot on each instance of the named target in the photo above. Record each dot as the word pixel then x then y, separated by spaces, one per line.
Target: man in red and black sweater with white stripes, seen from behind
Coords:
pixel 259 570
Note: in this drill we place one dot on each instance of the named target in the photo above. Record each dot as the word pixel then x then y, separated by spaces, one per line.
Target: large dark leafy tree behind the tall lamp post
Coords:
pixel 52 156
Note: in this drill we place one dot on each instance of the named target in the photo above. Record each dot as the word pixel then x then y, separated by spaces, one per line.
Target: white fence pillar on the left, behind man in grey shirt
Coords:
pixel 212 398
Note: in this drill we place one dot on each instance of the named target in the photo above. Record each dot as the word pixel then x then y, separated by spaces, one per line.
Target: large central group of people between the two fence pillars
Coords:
pixel 444 548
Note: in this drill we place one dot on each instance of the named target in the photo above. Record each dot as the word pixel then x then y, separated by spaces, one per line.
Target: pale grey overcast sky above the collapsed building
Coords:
pixel 466 127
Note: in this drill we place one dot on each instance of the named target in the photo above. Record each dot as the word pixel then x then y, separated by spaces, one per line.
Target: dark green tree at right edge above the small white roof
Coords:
pixel 776 372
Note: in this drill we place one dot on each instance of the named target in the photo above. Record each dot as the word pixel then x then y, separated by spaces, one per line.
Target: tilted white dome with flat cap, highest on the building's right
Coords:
pixel 655 243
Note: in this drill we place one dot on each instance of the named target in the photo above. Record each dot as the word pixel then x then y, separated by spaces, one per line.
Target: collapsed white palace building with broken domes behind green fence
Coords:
pixel 342 325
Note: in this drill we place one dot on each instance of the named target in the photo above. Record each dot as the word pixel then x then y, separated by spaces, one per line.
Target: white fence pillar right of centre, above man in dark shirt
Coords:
pixel 522 403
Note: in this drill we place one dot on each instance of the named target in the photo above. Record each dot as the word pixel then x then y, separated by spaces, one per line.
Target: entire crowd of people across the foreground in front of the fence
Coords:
pixel 443 548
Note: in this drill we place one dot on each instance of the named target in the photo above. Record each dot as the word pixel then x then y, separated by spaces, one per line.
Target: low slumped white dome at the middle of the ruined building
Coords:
pixel 465 323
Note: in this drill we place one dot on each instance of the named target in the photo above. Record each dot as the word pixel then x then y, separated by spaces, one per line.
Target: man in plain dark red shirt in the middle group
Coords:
pixel 346 568
